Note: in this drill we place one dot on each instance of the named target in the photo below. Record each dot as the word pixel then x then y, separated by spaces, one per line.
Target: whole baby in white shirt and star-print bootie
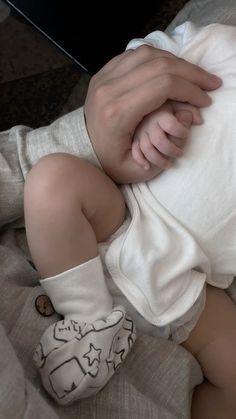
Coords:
pixel 164 248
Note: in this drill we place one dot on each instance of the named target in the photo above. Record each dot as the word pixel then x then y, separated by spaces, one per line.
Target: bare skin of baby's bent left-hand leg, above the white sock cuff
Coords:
pixel 69 206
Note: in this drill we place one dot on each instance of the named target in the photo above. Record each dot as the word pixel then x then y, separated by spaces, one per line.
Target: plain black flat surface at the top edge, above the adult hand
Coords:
pixel 91 32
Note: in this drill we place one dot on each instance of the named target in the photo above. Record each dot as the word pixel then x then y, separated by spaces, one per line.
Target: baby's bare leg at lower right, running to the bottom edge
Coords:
pixel 213 343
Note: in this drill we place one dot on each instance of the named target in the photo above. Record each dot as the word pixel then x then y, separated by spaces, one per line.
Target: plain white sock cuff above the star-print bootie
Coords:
pixel 81 292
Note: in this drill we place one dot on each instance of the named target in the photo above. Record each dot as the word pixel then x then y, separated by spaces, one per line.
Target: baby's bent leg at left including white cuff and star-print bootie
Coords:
pixel 70 206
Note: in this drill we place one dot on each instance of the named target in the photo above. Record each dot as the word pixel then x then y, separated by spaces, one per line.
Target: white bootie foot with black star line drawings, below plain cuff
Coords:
pixel 76 360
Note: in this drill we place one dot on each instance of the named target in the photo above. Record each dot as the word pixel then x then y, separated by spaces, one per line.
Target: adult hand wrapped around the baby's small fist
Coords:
pixel 129 87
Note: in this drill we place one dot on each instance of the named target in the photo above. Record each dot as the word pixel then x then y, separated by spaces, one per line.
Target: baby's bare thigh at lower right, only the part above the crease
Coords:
pixel 213 340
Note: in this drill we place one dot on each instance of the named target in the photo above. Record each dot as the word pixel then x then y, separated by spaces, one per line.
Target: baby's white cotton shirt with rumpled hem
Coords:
pixel 183 228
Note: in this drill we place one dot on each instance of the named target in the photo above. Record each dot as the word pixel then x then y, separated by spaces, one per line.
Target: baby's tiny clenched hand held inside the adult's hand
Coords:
pixel 160 137
